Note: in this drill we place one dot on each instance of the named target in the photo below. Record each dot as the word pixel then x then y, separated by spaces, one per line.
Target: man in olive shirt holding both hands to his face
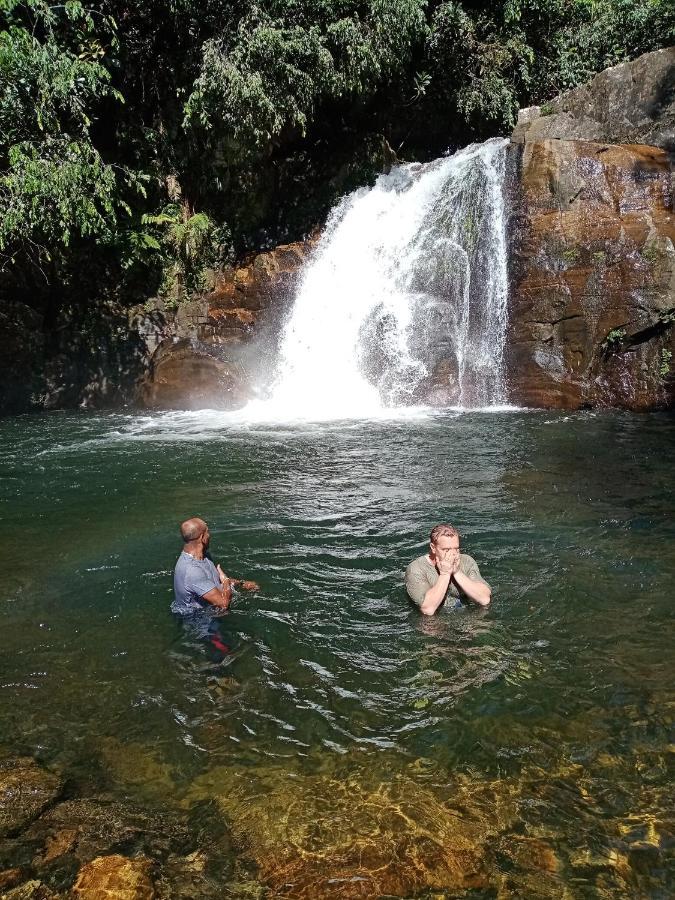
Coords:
pixel 445 573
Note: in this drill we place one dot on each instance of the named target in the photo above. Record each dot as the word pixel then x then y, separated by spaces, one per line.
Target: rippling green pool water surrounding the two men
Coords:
pixel 355 748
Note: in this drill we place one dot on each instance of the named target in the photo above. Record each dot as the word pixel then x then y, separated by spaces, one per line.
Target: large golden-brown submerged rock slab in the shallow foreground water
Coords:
pixel 347 834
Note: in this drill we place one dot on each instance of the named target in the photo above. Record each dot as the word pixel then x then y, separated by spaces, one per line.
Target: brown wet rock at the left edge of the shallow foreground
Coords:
pixel 26 790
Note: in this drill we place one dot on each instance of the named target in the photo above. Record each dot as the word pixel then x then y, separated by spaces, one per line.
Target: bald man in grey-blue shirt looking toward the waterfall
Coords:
pixel 197 583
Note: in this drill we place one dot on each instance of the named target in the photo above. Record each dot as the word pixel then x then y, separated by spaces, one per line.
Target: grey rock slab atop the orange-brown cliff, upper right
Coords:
pixel 632 103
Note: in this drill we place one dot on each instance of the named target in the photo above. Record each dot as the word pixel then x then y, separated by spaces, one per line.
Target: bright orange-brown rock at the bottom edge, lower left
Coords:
pixel 115 878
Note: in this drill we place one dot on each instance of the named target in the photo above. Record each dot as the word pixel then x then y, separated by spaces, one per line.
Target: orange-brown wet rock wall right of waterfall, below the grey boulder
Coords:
pixel 593 261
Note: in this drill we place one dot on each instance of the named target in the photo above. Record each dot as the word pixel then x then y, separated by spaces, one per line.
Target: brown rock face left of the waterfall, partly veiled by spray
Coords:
pixel 219 351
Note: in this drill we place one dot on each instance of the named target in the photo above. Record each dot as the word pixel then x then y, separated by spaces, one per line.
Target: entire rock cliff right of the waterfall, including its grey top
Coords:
pixel 593 243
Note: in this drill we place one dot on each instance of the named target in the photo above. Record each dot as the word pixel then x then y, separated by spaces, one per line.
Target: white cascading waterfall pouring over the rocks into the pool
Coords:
pixel 405 299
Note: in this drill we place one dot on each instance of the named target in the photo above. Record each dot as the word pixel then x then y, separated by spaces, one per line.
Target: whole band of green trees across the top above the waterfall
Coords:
pixel 154 139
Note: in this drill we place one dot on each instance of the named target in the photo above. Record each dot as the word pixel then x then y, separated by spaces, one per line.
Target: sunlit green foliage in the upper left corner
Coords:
pixel 54 183
